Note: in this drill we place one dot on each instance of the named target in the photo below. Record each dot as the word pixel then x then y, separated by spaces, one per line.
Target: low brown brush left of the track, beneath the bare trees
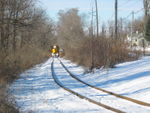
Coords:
pixel 10 67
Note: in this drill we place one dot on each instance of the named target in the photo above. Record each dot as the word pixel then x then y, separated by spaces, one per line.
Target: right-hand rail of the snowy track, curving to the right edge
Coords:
pixel 105 91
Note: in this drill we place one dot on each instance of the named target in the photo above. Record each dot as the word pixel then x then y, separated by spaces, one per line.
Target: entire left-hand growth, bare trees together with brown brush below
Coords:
pixel 26 33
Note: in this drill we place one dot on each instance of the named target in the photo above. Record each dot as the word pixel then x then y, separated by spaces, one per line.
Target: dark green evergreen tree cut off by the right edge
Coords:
pixel 147 30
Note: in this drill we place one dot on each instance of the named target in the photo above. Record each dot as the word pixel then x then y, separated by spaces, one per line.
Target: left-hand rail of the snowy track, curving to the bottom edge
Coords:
pixel 79 95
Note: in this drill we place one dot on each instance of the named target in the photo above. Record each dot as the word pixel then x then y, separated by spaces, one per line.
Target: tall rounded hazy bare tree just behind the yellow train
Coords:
pixel 70 28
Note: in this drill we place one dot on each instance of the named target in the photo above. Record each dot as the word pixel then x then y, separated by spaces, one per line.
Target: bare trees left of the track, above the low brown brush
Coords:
pixel 20 23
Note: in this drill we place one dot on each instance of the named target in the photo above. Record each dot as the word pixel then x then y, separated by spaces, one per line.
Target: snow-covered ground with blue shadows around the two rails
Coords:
pixel 37 92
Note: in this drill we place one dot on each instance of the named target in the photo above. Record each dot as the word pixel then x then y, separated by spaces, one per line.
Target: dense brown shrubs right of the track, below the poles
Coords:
pixel 106 52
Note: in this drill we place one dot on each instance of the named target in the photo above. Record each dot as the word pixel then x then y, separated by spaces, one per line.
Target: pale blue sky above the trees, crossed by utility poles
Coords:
pixel 105 8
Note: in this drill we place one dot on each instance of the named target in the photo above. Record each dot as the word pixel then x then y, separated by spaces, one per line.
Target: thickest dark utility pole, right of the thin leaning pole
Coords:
pixel 116 19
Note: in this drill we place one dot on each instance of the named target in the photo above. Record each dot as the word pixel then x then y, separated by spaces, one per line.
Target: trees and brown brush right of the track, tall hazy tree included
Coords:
pixel 81 44
